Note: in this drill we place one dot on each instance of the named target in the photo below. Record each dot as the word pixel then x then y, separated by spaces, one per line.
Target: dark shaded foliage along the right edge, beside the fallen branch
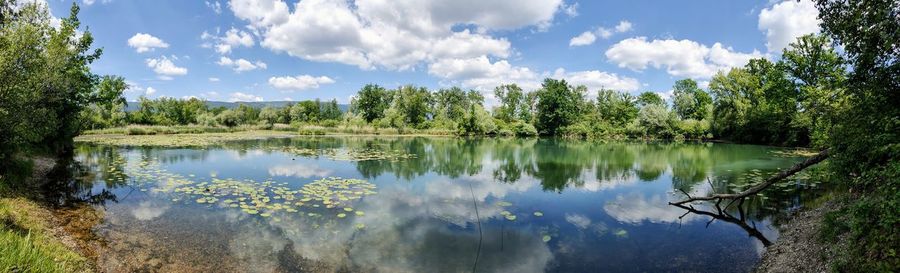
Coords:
pixel 865 140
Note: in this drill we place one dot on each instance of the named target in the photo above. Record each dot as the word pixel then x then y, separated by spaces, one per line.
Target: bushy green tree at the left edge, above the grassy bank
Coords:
pixel 45 79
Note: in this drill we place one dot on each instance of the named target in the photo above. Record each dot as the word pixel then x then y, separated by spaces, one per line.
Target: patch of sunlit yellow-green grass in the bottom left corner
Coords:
pixel 27 243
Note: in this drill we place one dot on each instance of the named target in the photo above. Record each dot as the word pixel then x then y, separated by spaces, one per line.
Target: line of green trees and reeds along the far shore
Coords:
pixel 792 101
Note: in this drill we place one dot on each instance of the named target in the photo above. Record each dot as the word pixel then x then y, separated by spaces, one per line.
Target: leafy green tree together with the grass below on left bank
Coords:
pixel 45 86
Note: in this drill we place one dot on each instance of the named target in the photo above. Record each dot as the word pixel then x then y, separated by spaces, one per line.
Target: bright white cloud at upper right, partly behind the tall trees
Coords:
pixel 786 21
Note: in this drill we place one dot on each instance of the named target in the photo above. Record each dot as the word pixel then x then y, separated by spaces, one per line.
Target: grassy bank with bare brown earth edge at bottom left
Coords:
pixel 54 238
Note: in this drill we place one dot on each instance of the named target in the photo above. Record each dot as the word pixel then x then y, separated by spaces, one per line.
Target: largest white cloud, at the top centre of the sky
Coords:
pixel 390 34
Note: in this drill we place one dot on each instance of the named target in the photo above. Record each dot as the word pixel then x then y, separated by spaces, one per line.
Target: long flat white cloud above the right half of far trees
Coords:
pixel 680 58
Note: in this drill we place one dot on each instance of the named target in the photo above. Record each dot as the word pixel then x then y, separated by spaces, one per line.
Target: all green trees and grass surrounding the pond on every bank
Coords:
pixel 835 90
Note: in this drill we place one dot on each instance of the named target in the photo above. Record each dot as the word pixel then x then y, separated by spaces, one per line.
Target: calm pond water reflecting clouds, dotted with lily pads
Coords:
pixel 542 206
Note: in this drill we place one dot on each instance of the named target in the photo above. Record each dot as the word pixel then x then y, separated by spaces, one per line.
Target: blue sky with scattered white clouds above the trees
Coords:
pixel 243 50
